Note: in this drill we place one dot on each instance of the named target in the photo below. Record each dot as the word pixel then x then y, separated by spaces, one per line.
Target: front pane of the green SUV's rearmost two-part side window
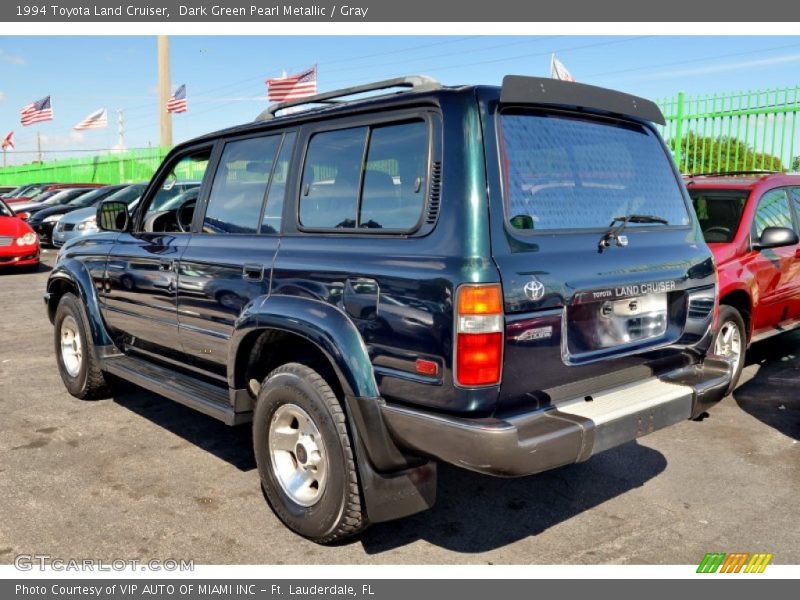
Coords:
pixel 331 176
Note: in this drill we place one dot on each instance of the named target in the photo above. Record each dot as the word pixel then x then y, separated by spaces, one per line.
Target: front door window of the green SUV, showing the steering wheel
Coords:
pixel 172 207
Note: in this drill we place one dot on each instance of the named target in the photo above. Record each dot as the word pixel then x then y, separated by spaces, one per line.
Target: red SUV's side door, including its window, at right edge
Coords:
pixel 777 270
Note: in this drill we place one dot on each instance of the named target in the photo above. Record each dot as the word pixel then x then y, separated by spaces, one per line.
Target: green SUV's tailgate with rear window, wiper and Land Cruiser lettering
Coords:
pixel 582 315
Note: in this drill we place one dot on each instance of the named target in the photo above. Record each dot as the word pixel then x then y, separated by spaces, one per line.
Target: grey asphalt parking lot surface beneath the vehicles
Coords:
pixel 140 477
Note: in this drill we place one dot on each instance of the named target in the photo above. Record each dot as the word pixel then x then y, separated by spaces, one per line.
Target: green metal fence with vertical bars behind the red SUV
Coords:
pixel 745 131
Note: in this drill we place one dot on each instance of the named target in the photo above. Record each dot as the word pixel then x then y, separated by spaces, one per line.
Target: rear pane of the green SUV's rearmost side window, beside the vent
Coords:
pixel 394 179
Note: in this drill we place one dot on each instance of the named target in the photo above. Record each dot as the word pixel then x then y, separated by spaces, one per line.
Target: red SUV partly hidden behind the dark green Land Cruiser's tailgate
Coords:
pixel 751 223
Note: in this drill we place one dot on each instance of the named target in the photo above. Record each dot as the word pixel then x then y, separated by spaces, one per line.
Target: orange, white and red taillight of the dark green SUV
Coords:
pixel 479 333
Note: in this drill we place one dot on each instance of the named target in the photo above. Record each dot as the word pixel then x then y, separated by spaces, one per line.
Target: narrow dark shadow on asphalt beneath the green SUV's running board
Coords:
pixel 234 445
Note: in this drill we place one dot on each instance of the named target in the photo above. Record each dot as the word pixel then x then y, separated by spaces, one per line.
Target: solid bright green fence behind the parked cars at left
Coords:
pixel 124 167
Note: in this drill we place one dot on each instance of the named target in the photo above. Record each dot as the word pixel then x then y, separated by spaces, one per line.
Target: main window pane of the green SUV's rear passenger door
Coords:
pixel 237 193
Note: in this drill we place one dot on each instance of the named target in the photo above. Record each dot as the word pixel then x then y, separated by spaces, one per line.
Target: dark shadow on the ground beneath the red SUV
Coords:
pixel 771 395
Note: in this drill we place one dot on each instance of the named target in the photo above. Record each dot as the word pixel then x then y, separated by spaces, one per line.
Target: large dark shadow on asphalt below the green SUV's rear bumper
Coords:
pixel 475 513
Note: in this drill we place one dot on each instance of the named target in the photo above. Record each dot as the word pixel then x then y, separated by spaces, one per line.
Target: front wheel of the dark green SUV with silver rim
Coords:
pixel 81 374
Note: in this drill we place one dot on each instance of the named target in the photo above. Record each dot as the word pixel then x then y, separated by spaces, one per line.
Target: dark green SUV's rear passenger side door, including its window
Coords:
pixel 228 260
